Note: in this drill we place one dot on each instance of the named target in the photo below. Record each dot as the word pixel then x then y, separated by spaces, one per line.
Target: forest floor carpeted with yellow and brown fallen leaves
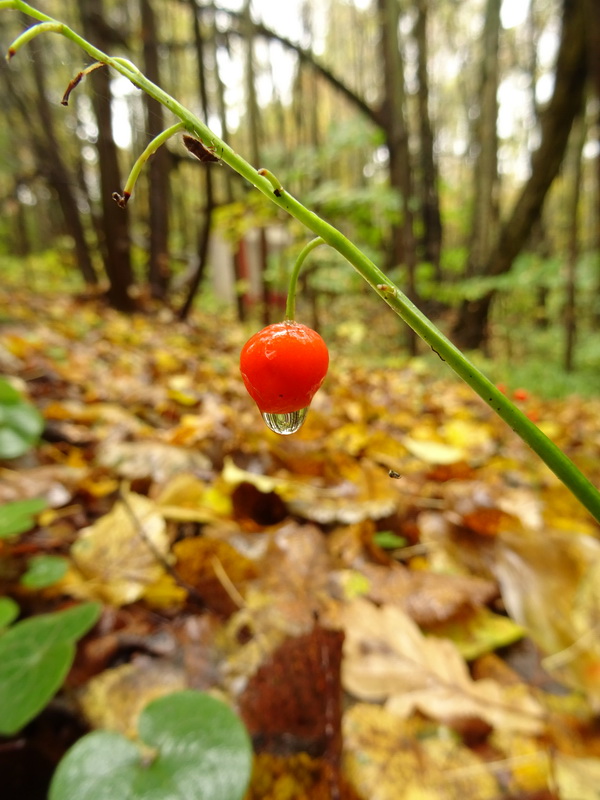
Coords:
pixel 464 577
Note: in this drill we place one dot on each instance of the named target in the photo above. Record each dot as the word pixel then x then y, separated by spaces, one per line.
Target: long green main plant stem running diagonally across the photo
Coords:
pixel 266 183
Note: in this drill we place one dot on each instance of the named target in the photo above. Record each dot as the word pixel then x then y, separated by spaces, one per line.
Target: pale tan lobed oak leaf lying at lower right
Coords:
pixel 387 658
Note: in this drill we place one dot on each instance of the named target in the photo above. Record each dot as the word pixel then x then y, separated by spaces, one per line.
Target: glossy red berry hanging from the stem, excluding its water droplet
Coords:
pixel 283 366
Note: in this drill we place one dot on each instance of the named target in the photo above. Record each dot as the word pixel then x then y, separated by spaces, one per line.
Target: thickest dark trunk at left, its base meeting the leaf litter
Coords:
pixel 115 226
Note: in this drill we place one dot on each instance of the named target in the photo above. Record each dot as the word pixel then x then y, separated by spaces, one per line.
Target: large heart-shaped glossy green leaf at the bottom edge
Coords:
pixel 201 750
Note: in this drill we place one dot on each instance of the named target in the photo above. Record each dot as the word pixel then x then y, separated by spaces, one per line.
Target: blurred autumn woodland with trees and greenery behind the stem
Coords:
pixel 455 142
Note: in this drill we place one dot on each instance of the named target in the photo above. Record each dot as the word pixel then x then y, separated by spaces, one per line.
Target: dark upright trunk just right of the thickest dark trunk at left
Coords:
pixel 158 166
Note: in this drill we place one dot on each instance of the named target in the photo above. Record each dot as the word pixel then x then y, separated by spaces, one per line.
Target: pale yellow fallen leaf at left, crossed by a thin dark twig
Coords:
pixel 116 558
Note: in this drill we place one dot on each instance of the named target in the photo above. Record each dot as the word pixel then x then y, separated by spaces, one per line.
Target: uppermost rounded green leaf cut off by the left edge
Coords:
pixel 21 424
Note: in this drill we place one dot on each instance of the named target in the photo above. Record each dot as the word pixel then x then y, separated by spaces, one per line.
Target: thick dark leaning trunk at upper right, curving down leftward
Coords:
pixel 471 327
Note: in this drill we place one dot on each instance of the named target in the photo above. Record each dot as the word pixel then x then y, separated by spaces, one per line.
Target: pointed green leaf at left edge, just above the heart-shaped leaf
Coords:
pixel 35 656
